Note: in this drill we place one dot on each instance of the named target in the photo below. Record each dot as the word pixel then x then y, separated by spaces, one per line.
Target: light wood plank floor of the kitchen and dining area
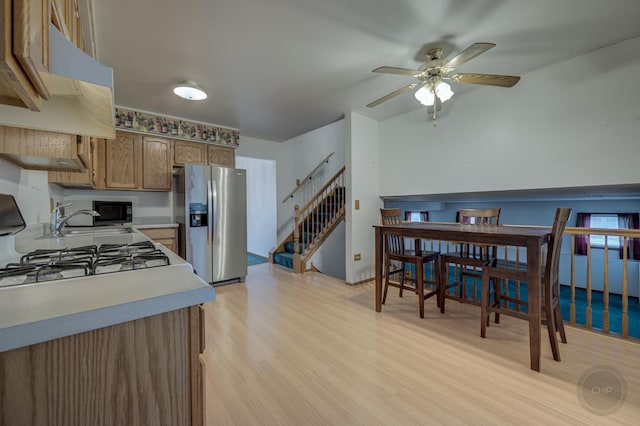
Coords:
pixel 297 350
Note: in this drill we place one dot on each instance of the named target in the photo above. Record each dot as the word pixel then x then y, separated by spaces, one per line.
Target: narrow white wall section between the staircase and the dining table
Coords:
pixel 363 168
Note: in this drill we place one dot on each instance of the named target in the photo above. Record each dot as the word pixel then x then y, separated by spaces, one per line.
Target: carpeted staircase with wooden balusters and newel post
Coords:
pixel 313 224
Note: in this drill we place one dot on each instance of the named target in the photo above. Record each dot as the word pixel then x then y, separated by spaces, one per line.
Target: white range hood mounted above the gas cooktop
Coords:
pixel 81 95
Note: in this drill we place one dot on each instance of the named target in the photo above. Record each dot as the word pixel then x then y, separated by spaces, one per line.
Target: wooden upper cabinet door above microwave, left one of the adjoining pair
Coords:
pixel 121 160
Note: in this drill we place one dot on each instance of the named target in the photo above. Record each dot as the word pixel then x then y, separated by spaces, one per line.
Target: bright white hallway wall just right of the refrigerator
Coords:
pixel 261 204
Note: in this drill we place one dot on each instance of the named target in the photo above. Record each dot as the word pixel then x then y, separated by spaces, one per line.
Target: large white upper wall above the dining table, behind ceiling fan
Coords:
pixel 575 123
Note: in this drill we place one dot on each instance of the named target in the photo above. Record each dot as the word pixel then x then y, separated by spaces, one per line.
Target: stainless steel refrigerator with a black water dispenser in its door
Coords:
pixel 211 208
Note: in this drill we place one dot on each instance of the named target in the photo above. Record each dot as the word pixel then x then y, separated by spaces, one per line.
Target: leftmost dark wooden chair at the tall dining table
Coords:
pixel 397 257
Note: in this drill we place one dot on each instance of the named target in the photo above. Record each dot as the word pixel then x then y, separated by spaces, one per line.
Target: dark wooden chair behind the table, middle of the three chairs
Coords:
pixel 469 259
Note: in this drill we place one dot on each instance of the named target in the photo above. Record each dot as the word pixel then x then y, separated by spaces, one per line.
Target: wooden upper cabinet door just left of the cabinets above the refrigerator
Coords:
pixel 157 163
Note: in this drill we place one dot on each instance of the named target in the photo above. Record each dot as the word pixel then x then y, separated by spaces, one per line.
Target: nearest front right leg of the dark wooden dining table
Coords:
pixel 533 281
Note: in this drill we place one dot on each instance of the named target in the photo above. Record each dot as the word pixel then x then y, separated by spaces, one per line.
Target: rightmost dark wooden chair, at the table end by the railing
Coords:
pixel 493 276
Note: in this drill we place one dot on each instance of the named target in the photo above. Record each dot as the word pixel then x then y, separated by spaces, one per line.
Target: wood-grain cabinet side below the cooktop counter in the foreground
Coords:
pixel 142 372
